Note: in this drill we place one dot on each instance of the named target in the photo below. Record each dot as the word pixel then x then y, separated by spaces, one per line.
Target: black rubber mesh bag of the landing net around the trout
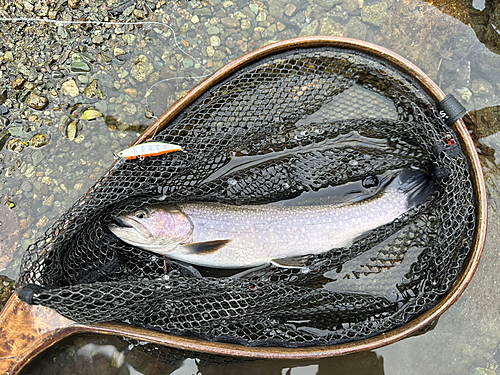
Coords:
pixel 288 126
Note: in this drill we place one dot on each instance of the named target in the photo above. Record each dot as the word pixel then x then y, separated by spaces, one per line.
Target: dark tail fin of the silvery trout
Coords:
pixel 417 186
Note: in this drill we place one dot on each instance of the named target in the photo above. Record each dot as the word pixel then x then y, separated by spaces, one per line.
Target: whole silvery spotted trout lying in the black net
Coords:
pixel 220 235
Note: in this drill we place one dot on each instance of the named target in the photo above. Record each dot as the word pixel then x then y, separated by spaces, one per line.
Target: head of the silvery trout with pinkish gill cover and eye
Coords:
pixel 159 228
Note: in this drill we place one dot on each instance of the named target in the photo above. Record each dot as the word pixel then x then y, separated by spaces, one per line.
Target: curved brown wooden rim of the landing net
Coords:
pixel 391 336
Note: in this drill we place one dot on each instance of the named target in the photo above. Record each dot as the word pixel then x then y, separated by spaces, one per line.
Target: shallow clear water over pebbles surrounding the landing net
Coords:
pixel 45 182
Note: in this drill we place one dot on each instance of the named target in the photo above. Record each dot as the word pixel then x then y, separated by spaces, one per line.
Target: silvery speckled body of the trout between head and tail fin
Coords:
pixel 261 234
